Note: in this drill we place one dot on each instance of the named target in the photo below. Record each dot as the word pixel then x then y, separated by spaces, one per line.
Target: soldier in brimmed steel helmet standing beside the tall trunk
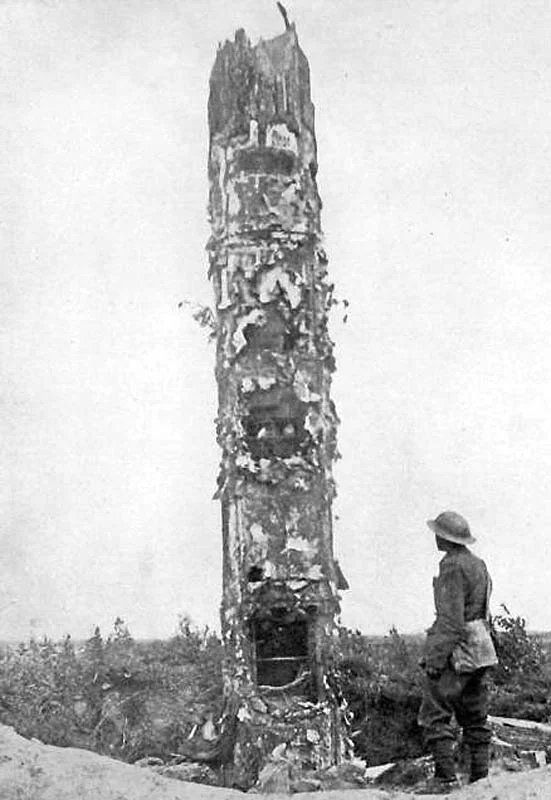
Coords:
pixel 461 594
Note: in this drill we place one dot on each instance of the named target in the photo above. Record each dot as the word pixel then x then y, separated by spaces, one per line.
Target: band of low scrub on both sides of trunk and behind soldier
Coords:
pixel 131 699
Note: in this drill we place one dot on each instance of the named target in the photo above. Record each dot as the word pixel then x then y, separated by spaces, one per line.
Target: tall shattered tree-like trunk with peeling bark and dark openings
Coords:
pixel 276 422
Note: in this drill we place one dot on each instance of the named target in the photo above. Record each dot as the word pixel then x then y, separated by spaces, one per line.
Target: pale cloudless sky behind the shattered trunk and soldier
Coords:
pixel 433 128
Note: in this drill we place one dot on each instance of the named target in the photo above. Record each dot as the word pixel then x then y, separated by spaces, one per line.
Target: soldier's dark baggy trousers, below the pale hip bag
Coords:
pixel 466 696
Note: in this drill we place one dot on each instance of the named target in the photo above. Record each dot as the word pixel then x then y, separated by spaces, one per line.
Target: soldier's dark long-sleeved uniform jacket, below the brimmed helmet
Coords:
pixel 459 596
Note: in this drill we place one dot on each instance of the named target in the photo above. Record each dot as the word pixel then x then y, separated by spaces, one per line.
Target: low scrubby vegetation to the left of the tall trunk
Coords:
pixel 115 695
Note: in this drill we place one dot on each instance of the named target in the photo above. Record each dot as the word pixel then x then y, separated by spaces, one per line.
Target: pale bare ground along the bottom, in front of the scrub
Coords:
pixel 30 770
